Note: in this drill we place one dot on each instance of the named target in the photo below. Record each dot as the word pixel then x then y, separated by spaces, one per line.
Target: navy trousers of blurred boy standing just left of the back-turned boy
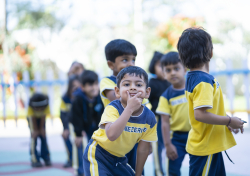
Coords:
pixel 179 140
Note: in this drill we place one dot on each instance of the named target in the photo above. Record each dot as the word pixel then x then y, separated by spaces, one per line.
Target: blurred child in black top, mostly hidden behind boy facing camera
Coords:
pixel 158 85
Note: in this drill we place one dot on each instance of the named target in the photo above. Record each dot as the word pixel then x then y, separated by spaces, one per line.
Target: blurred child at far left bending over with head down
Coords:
pixel 37 111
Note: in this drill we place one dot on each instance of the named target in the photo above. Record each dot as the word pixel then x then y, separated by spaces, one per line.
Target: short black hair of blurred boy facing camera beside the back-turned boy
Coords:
pixel 171 58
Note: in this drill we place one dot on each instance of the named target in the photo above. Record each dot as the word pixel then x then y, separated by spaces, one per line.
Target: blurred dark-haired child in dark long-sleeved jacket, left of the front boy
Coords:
pixel 85 112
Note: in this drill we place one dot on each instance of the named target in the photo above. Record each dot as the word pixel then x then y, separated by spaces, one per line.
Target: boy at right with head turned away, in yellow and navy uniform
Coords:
pixel 211 128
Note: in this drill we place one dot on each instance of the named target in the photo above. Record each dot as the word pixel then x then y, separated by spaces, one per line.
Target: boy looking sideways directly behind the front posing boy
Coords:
pixel 119 54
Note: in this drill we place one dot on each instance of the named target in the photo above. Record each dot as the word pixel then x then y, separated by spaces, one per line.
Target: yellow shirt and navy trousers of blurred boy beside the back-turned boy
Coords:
pixel 173 102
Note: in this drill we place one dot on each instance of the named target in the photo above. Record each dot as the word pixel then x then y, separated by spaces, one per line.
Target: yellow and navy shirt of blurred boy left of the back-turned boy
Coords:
pixel 173 102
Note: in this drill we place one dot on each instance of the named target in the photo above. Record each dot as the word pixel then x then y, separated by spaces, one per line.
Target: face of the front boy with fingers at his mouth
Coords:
pixel 132 84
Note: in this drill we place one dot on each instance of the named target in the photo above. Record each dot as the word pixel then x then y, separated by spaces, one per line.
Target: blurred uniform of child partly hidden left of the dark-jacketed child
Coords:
pixel 64 115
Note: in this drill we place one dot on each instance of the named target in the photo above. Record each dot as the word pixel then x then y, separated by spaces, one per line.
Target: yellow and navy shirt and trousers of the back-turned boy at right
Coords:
pixel 206 141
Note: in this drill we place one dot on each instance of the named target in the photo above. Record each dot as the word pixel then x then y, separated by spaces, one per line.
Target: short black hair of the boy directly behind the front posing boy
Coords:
pixel 119 47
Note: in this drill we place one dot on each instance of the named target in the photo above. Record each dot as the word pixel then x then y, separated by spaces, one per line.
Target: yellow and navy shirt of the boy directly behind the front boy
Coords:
pixel 109 83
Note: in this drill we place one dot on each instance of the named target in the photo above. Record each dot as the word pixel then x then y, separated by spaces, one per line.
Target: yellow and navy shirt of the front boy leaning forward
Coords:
pixel 142 127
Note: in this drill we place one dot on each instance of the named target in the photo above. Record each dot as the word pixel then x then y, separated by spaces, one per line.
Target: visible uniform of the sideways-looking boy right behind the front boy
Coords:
pixel 109 83
